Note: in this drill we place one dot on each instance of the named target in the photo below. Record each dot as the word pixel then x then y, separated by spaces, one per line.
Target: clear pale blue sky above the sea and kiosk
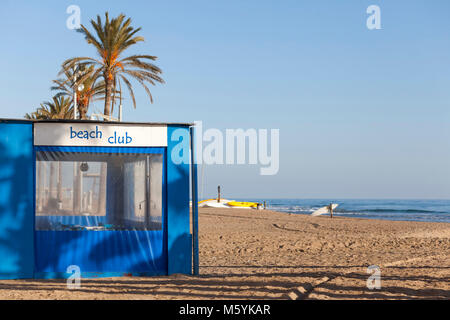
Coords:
pixel 362 113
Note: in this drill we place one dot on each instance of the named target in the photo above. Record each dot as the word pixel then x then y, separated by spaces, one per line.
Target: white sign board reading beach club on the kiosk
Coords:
pixel 104 135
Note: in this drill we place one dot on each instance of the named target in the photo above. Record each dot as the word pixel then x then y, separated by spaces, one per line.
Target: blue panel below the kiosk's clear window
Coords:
pixel 100 251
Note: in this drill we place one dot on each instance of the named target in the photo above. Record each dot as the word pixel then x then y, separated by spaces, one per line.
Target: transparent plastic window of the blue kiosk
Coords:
pixel 98 191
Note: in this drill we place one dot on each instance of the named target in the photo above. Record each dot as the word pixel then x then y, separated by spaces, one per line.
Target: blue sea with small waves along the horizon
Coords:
pixel 406 210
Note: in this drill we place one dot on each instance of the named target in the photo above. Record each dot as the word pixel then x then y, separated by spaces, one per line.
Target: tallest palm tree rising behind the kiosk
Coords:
pixel 112 38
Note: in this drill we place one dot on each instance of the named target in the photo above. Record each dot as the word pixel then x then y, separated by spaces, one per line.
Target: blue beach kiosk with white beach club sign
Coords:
pixel 110 198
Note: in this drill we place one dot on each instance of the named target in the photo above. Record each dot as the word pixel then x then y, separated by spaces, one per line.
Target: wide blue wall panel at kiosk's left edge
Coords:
pixel 16 200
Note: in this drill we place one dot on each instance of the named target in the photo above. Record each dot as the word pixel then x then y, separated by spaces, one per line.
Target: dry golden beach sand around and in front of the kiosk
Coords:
pixel 249 254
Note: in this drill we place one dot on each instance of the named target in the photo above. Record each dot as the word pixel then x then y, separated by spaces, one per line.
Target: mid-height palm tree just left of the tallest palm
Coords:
pixel 87 91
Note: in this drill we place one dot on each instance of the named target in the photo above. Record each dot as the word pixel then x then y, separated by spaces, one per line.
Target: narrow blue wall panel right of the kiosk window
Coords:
pixel 179 240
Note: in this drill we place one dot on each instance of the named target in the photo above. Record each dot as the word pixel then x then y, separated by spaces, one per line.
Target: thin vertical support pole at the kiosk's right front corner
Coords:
pixel 194 205
